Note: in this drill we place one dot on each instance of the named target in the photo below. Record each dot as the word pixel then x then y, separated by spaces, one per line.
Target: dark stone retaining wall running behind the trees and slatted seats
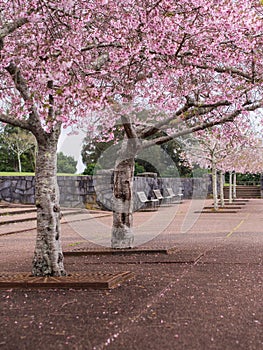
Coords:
pixel 79 191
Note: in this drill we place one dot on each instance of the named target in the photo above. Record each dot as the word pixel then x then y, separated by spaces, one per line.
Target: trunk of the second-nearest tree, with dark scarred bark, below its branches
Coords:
pixel 122 234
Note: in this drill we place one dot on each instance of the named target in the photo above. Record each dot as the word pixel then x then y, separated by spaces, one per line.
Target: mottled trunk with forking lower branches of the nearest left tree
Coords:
pixel 48 257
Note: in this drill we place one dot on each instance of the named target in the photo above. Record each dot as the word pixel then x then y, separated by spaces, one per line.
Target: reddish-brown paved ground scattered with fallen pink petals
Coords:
pixel 207 294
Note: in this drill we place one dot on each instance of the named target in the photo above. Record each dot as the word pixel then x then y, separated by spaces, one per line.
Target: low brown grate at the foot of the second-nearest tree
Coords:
pixel 111 251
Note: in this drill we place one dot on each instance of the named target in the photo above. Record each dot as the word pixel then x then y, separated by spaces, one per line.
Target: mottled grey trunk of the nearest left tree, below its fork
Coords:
pixel 48 257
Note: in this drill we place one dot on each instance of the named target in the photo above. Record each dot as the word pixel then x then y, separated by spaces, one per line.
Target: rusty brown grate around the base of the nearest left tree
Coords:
pixel 94 280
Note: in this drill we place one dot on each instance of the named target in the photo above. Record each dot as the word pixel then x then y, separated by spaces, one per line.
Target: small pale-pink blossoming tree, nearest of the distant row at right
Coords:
pixel 216 149
